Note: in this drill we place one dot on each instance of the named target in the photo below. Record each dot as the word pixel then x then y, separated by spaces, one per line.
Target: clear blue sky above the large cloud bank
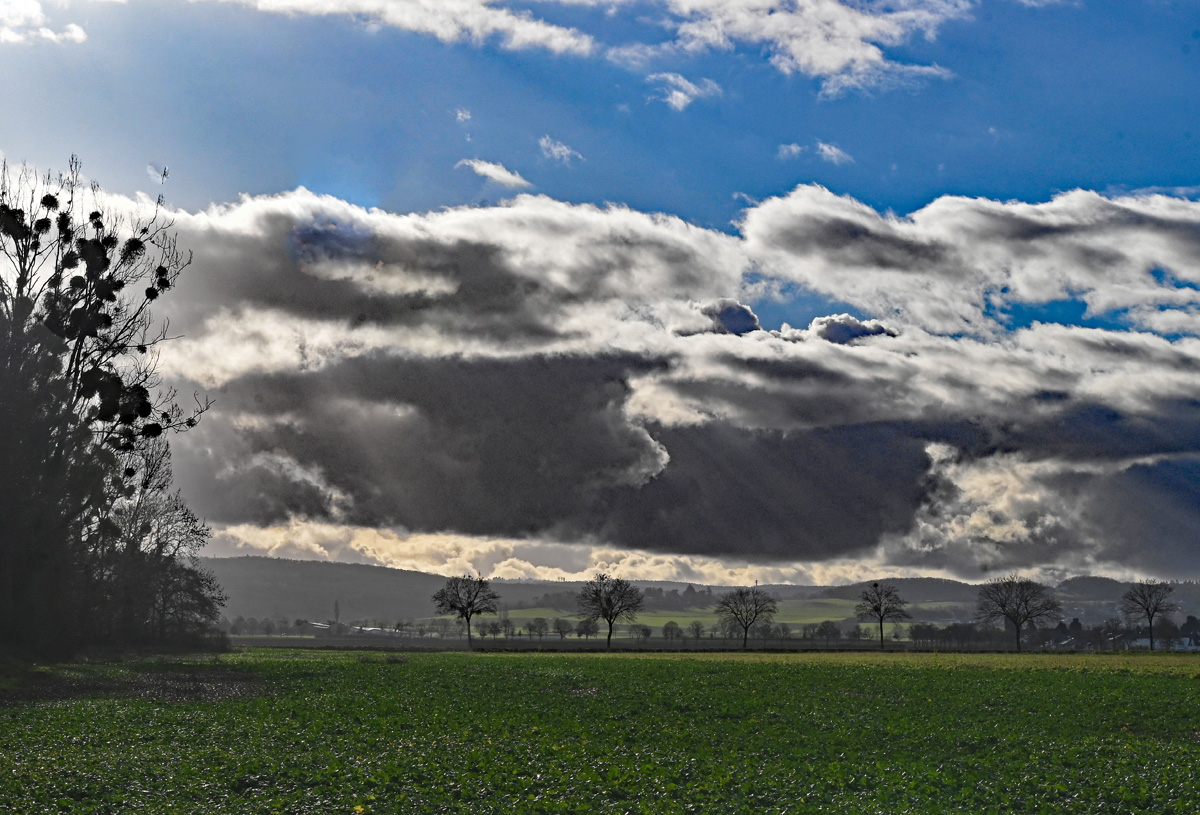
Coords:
pixel 1037 100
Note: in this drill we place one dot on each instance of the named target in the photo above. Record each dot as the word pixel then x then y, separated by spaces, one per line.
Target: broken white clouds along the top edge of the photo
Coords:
pixel 841 43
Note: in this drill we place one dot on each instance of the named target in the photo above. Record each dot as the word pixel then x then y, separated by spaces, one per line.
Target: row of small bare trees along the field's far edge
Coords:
pixel 1011 613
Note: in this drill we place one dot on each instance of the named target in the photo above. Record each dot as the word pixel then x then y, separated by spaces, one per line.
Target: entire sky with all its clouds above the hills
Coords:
pixel 713 291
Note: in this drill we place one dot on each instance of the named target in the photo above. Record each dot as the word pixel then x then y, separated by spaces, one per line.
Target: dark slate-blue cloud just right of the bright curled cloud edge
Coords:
pixel 775 496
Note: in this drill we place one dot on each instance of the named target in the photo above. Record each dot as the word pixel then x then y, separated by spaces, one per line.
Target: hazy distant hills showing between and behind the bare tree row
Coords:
pixel 277 589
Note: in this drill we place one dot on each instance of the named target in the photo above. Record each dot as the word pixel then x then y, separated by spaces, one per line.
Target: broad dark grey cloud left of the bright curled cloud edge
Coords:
pixel 483 447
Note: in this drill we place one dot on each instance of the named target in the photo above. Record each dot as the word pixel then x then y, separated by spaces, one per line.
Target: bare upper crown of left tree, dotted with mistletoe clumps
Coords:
pixel 89 277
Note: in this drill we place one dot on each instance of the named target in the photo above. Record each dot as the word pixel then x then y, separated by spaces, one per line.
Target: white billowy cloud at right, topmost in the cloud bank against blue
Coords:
pixel 957 265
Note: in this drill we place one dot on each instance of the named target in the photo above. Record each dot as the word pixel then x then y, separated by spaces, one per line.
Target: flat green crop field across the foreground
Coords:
pixel 275 732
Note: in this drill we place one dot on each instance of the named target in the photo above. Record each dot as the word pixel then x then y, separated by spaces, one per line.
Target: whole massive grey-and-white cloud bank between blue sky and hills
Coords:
pixel 581 376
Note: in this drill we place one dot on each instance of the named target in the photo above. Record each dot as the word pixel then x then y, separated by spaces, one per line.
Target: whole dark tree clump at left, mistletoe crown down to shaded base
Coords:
pixel 85 420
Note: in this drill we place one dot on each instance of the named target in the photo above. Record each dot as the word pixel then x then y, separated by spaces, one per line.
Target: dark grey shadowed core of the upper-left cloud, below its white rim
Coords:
pixel 329 271
